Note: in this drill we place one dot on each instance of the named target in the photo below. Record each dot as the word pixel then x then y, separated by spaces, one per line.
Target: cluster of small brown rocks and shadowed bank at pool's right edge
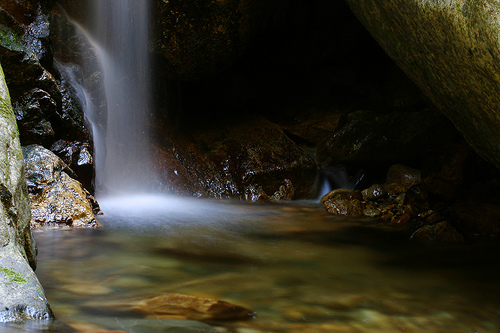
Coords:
pixel 441 203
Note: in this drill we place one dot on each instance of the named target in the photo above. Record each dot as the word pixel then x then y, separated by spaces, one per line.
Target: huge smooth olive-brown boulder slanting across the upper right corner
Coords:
pixel 450 49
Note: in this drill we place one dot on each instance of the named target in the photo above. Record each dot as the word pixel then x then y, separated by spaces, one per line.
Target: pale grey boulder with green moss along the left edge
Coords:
pixel 21 295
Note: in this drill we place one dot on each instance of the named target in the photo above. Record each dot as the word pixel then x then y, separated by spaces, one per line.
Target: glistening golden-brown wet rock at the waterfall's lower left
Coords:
pixel 55 197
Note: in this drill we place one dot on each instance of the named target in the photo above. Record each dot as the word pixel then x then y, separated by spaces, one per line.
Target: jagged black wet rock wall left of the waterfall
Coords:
pixel 47 109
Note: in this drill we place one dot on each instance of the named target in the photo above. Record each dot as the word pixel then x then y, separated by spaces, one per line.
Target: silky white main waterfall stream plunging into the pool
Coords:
pixel 120 28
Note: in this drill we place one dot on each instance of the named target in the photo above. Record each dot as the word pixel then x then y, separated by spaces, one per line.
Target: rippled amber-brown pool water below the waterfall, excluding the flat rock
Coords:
pixel 298 268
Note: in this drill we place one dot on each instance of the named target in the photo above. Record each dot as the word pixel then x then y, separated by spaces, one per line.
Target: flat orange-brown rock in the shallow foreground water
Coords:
pixel 180 306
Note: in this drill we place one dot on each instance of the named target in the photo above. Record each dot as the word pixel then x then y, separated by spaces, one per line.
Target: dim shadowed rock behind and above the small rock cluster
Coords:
pixel 372 137
